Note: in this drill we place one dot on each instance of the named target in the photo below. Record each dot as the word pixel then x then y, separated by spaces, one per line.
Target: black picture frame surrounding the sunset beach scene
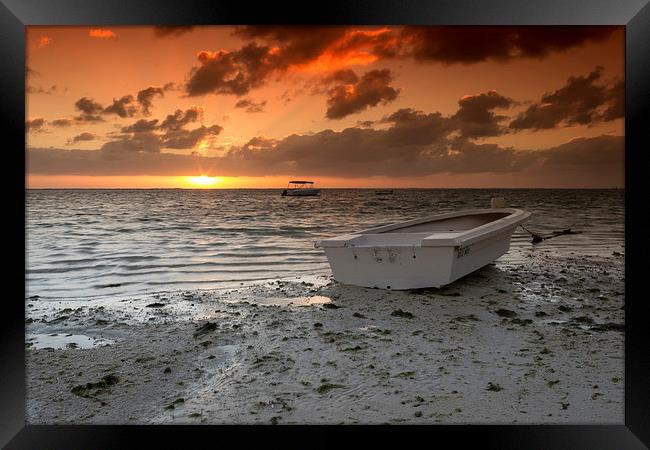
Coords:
pixel 633 14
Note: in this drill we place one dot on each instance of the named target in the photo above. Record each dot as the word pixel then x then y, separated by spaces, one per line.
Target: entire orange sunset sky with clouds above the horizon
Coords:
pixel 239 107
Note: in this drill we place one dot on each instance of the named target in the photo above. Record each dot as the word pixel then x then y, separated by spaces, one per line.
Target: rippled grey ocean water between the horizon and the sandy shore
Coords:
pixel 93 243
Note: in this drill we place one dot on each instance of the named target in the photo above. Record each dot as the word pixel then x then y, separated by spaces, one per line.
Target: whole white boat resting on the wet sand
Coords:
pixel 428 252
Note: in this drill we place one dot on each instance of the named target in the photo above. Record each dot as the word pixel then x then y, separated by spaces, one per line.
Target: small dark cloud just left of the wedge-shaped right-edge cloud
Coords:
pixel 475 116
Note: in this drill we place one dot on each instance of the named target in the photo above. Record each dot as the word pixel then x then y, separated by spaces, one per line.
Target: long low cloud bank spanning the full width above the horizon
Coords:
pixel 362 154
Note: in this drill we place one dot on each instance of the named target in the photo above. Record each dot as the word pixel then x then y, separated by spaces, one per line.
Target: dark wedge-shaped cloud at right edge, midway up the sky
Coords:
pixel 582 101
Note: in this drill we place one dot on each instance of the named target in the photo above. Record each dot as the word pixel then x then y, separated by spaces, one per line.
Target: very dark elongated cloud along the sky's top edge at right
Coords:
pixel 470 44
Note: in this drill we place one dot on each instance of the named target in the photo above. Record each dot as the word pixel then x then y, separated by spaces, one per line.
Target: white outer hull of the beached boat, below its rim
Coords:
pixel 400 267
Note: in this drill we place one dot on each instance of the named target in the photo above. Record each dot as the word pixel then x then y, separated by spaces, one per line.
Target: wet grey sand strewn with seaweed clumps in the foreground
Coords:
pixel 539 341
